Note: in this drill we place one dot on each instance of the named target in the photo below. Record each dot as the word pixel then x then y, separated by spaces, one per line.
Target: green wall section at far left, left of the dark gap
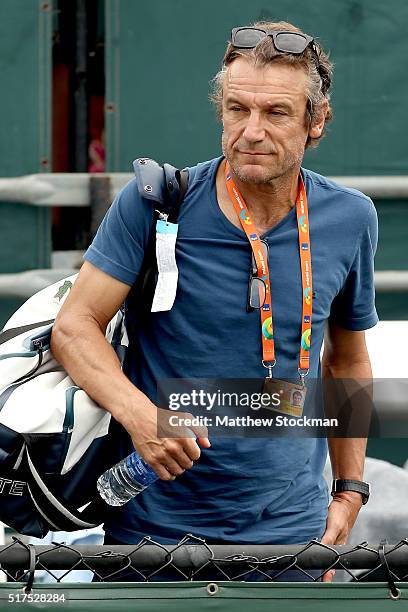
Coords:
pixel 25 68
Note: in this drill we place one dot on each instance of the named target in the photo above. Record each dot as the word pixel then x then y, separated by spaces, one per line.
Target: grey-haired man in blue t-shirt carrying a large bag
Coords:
pixel 272 95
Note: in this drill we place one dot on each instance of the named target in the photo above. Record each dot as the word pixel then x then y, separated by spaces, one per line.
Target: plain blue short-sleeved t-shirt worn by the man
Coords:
pixel 243 490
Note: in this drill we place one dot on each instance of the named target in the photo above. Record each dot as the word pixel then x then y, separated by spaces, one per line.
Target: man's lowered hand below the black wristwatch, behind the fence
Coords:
pixel 341 516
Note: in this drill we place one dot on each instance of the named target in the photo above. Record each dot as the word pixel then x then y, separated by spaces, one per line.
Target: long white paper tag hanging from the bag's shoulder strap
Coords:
pixel 165 294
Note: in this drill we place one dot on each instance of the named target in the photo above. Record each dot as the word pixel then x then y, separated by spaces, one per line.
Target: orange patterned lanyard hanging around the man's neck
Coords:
pixel 262 264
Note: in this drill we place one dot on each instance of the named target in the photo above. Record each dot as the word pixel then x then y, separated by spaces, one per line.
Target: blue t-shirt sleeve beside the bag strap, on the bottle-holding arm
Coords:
pixel 119 245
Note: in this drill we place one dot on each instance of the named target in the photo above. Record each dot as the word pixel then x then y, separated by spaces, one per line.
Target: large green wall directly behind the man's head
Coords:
pixel 161 55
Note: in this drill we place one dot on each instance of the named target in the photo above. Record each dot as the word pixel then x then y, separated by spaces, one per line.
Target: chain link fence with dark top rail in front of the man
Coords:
pixel 193 559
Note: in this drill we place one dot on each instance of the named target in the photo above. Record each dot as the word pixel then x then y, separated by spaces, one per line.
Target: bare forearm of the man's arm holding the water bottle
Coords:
pixel 90 360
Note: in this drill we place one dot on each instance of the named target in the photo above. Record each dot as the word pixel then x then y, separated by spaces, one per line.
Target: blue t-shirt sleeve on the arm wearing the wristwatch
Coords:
pixel 354 306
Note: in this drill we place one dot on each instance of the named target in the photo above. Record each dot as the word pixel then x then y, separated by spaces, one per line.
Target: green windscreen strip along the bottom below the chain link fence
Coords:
pixel 188 596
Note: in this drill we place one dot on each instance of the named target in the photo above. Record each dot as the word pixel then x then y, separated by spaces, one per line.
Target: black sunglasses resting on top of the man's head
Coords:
pixel 285 41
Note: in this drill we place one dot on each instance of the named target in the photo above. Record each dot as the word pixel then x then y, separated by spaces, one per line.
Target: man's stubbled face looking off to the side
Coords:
pixel 264 118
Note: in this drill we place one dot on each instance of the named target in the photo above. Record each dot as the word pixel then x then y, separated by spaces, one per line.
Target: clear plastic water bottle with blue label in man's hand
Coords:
pixel 125 480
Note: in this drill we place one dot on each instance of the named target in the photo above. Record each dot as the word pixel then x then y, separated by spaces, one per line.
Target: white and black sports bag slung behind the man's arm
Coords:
pixel 52 435
